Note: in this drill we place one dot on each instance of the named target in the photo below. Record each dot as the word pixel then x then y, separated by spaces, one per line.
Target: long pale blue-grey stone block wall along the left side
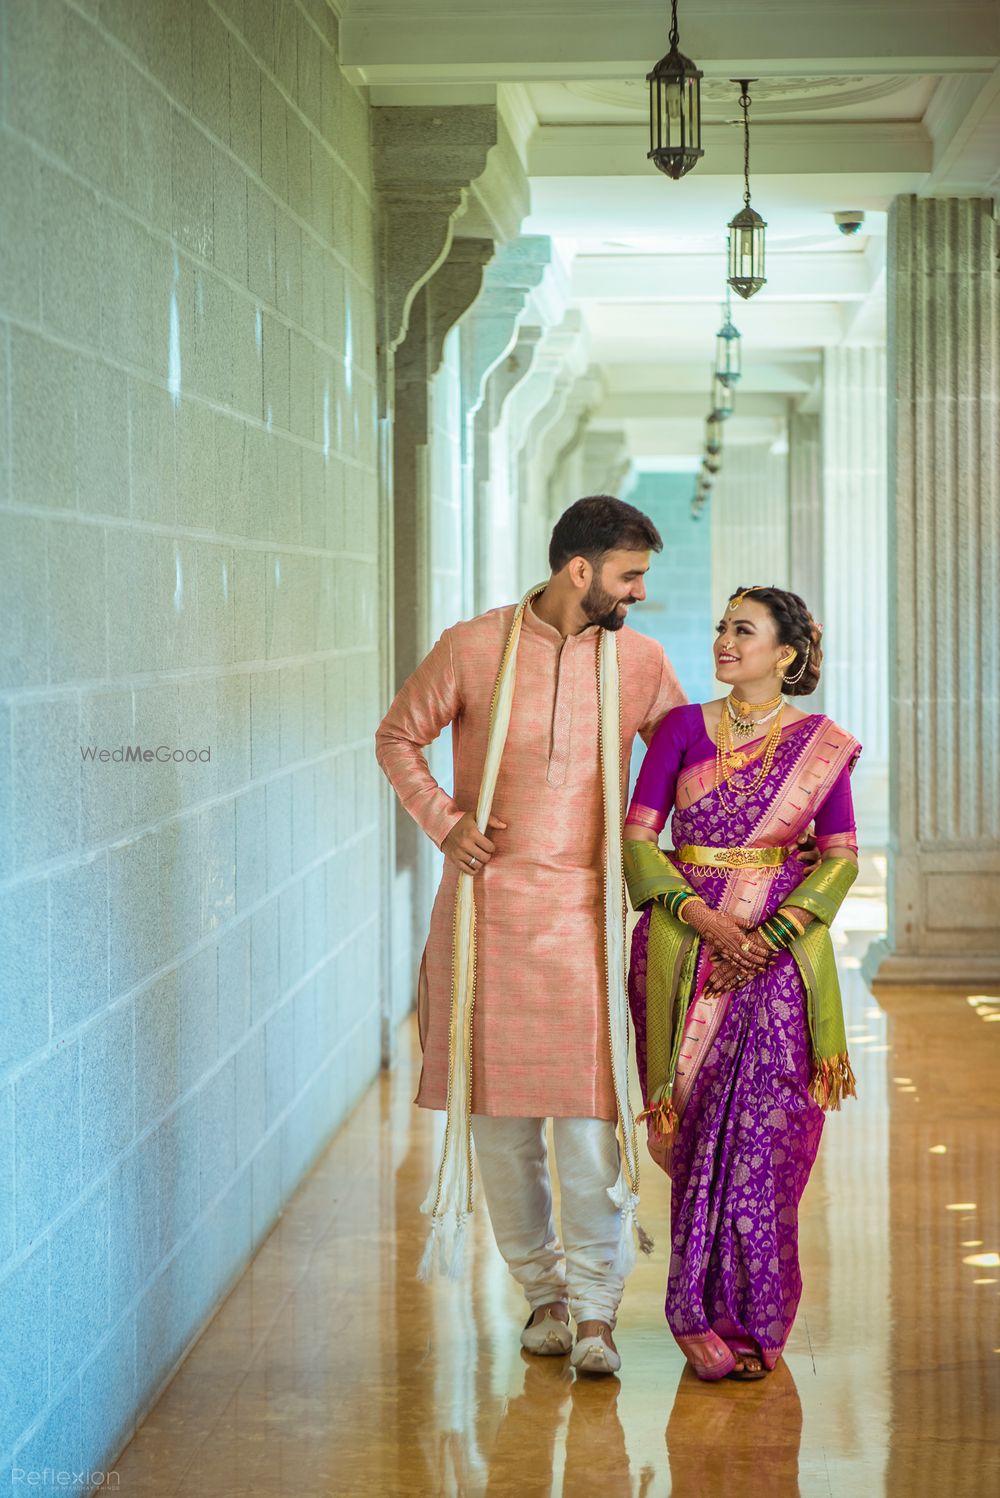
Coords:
pixel 188 562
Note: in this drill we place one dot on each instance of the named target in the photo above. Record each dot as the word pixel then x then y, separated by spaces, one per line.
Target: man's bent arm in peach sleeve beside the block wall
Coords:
pixel 427 703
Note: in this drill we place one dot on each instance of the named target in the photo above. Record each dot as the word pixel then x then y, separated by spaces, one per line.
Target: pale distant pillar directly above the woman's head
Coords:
pixel 749 522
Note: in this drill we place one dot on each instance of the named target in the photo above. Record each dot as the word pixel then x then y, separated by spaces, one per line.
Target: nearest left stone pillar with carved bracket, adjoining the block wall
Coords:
pixel 433 169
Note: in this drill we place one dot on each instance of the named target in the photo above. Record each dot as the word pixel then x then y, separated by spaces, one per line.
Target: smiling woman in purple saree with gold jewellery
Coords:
pixel 734 994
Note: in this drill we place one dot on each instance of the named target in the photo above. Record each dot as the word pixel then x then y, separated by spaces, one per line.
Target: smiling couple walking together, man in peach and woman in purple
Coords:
pixel 523 1001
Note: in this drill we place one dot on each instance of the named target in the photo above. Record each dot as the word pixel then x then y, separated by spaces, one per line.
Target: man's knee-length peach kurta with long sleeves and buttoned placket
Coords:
pixel 541 1045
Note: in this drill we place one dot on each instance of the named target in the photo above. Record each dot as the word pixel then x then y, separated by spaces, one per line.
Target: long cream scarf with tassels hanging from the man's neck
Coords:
pixel 450 1201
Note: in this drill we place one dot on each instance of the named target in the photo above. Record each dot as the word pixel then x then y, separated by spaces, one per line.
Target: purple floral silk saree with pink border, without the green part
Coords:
pixel 748 1123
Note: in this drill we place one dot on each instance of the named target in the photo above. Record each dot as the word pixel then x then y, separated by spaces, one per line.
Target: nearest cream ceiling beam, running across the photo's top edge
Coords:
pixel 441 41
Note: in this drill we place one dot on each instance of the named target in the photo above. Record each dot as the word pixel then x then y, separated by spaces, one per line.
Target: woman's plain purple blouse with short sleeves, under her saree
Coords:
pixel 682 741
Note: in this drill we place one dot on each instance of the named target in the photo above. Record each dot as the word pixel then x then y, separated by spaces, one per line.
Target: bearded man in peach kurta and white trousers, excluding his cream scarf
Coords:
pixel 540 1031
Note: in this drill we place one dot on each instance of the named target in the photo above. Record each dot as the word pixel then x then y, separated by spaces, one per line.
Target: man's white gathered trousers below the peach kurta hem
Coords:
pixel 519 1189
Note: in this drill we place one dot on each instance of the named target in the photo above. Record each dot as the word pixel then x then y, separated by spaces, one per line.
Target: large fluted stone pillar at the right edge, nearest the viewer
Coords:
pixel 944 595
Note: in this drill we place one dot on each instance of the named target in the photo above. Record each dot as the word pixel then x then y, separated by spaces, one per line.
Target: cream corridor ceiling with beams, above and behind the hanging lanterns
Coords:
pixel 856 101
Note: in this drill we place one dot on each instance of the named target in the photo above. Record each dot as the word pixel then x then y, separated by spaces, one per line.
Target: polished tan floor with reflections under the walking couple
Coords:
pixel 332 1371
